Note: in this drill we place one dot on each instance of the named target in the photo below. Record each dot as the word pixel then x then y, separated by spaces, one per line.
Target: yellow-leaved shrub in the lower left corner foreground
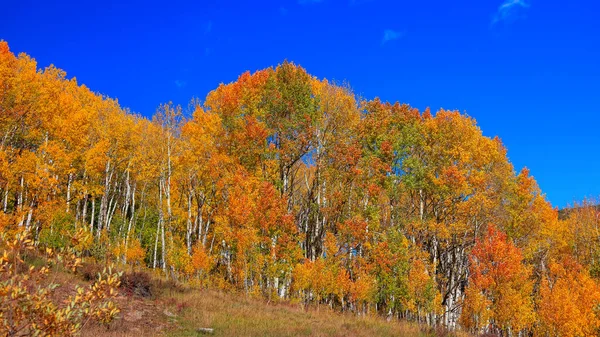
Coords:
pixel 27 305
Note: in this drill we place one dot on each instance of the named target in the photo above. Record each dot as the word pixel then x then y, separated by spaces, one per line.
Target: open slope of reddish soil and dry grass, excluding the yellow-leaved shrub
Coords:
pixel 172 310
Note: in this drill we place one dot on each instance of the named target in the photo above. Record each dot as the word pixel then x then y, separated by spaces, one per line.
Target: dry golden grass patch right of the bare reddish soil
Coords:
pixel 231 315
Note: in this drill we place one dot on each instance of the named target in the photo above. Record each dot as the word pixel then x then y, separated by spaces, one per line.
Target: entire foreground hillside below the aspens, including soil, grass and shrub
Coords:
pixel 149 305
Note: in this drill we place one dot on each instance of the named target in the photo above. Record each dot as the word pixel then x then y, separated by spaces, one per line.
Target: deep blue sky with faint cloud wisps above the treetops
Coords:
pixel 527 70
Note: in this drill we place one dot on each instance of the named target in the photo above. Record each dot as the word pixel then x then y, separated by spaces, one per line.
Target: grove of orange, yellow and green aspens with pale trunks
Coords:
pixel 292 188
